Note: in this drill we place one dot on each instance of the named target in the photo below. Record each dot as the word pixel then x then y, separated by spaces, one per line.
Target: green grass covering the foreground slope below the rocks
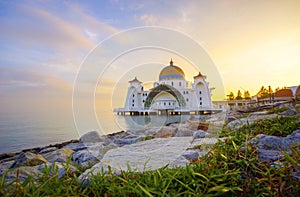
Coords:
pixel 231 168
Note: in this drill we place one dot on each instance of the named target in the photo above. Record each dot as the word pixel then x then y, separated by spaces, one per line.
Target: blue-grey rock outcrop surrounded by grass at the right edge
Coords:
pixel 270 147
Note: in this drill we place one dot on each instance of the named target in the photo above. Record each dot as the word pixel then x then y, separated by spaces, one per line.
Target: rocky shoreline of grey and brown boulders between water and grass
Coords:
pixel 175 145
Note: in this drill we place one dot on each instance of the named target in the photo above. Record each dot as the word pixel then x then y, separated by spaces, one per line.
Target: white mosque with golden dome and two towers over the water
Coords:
pixel 171 94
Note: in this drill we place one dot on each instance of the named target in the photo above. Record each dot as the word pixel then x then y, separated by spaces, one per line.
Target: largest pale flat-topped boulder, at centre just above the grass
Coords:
pixel 142 156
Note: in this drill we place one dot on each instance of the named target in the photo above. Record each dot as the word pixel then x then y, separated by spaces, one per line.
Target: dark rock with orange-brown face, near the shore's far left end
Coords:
pixel 28 159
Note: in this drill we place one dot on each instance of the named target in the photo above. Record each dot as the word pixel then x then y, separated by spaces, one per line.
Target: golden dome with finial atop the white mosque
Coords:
pixel 171 72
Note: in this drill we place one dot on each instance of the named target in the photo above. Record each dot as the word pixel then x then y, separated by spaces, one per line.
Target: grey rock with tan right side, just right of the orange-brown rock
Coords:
pixel 60 155
